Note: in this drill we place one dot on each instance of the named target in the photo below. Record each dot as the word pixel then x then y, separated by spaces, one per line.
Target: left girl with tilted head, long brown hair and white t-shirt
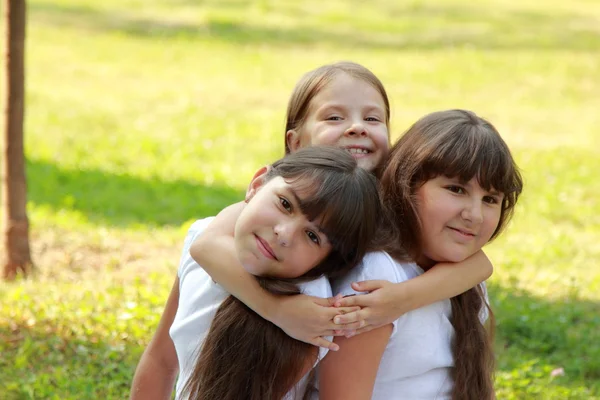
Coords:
pixel 307 217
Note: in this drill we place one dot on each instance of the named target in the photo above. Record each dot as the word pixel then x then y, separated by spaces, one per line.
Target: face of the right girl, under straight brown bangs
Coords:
pixel 457 218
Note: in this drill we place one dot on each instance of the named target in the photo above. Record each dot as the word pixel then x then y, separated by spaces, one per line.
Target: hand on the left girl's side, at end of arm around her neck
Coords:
pixel 308 318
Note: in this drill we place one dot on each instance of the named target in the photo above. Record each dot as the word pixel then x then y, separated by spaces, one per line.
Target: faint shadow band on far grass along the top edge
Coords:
pixel 410 27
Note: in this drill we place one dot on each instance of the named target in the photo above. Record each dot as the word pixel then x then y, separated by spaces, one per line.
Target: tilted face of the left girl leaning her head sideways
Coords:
pixel 272 235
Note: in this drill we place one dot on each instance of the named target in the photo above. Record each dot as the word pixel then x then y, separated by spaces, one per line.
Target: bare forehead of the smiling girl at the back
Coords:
pixel 344 88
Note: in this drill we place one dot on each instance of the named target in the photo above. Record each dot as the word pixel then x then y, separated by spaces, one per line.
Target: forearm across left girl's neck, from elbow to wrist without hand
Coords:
pixel 217 256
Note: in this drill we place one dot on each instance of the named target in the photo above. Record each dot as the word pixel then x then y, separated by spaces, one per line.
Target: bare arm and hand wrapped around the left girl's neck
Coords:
pixel 305 318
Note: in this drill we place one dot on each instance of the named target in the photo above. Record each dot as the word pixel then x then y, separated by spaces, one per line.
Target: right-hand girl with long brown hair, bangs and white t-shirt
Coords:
pixel 449 187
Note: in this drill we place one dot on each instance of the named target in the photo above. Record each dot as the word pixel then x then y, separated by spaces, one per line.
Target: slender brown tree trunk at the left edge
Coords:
pixel 17 256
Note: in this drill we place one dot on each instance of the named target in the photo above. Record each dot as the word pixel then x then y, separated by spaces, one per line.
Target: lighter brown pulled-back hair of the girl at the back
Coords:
pixel 316 80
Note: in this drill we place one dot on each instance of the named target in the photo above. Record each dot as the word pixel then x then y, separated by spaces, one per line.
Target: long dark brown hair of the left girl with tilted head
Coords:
pixel 247 357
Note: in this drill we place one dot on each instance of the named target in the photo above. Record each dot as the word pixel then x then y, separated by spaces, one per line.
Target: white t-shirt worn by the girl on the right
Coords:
pixel 418 358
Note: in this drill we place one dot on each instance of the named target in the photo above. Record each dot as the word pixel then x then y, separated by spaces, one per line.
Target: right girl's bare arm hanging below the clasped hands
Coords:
pixel 350 373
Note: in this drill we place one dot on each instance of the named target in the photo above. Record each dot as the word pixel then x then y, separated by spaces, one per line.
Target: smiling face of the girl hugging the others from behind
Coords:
pixel 347 113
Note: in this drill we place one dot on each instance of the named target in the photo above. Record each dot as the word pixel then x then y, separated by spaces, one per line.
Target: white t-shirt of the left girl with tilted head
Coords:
pixel 199 299
